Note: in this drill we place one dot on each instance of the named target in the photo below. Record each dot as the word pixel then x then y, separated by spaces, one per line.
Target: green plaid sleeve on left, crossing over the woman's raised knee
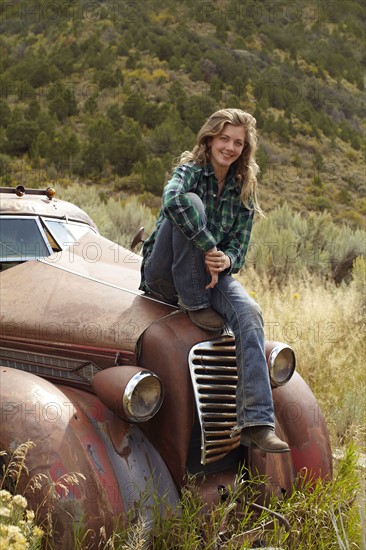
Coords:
pixel 178 207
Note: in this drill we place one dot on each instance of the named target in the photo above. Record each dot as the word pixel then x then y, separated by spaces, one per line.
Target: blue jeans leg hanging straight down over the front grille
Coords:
pixel 254 402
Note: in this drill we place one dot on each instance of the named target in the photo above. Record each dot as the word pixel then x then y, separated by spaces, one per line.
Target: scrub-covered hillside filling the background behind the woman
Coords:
pixel 109 92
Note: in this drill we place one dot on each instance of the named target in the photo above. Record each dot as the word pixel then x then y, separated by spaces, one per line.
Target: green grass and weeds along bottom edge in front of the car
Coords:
pixel 321 517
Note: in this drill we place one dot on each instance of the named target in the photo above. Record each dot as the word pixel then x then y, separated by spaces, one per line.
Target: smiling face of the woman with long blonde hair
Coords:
pixel 226 148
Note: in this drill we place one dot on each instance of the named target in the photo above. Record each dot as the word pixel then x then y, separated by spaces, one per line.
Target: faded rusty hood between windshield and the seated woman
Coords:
pixel 86 295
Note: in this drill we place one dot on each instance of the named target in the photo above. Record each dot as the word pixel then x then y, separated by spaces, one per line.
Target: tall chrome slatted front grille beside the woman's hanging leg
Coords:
pixel 214 376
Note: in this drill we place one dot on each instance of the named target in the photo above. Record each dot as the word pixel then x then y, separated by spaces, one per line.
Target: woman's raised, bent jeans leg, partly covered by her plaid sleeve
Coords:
pixel 176 266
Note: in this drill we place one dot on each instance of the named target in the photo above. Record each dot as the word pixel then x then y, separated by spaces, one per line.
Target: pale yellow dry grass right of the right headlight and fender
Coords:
pixel 325 326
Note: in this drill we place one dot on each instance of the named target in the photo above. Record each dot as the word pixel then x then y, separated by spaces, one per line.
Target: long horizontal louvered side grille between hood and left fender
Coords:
pixel 49 366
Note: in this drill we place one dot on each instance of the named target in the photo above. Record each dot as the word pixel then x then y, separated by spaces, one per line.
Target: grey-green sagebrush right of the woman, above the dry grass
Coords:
pixel 287 243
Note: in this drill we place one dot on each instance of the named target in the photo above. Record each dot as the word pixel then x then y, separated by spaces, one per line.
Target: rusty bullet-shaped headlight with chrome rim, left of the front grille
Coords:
pixel 134 394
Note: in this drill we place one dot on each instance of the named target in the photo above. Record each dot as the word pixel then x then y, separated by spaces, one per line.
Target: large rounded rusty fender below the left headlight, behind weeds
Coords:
pixel 72 433
